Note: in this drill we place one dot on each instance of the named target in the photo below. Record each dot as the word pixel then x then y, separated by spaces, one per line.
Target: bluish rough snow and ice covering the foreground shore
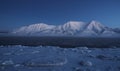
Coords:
pixel 49 58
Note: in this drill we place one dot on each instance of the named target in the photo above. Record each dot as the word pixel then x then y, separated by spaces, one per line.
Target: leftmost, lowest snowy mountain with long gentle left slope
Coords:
pixel 34 28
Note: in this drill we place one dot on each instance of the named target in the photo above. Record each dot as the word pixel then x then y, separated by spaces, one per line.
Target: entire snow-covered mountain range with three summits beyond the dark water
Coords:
pixel 73 28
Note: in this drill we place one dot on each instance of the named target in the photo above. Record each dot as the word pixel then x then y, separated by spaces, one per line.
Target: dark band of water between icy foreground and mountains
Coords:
pixel 60 41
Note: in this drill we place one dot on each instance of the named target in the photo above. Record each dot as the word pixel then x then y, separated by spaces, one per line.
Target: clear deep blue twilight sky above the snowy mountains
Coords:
pixel 17 13
